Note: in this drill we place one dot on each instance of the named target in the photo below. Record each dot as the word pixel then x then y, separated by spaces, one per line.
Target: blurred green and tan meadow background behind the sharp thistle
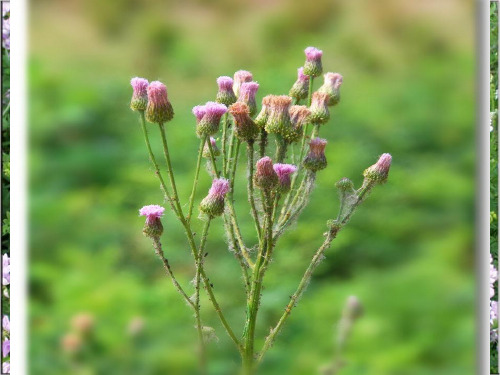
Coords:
pixel 407 254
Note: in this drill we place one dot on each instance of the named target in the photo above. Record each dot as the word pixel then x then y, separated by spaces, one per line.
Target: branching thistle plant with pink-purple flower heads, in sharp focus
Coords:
pixel 283 155
